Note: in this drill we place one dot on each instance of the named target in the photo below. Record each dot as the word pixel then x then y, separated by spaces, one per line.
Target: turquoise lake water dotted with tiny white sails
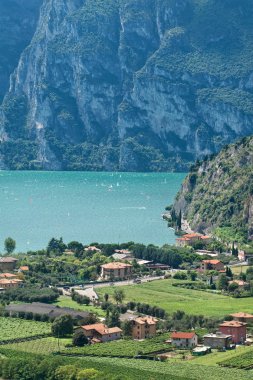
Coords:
pixel 87 207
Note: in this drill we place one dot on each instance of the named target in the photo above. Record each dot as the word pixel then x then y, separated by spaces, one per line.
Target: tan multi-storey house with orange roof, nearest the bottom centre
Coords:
pixel 144 327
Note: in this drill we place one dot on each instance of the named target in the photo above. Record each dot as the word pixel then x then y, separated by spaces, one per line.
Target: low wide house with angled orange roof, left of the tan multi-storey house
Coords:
pixel 99 333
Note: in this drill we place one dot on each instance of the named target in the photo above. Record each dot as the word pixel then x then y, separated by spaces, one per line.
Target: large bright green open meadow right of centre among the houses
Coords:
pixel 161 293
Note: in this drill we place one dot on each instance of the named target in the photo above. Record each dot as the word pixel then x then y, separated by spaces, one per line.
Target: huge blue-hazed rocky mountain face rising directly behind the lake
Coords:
pixel 130 85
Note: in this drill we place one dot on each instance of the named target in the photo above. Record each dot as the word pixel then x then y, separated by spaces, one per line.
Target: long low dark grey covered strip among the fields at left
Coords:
pixel 50 311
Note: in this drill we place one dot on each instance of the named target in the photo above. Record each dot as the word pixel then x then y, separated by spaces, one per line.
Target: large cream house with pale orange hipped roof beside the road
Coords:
pixel 116 270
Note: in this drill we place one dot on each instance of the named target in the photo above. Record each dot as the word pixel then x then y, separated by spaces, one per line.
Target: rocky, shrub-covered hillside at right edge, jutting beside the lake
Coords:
pixel 217 195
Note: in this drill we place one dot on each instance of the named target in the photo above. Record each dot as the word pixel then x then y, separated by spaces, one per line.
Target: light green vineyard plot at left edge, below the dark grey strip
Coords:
pixel 14 328
